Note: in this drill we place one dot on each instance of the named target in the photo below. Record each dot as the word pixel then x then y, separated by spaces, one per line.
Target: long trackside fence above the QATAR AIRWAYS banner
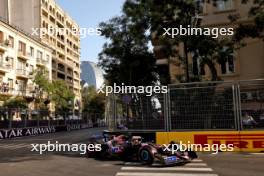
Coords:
pixel 23 118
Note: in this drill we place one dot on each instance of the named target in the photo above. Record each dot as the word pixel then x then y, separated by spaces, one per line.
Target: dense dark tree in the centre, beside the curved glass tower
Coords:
pixel 126 57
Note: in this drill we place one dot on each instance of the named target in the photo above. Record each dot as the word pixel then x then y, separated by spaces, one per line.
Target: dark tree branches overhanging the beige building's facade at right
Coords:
pixel 155 15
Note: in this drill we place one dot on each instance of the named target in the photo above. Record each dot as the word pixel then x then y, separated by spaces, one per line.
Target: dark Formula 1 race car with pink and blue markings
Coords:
pixel 133 149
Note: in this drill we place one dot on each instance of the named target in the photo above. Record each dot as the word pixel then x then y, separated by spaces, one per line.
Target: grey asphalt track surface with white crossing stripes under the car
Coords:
pixel 17 159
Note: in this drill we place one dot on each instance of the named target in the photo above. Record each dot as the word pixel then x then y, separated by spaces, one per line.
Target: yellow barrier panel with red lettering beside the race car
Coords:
pixel 246 141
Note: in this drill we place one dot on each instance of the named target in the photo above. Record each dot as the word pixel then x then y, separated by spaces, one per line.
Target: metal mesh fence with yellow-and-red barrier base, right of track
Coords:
pixel 201 113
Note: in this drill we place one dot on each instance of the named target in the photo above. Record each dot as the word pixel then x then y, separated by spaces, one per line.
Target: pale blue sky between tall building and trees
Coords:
pixel 89 13
